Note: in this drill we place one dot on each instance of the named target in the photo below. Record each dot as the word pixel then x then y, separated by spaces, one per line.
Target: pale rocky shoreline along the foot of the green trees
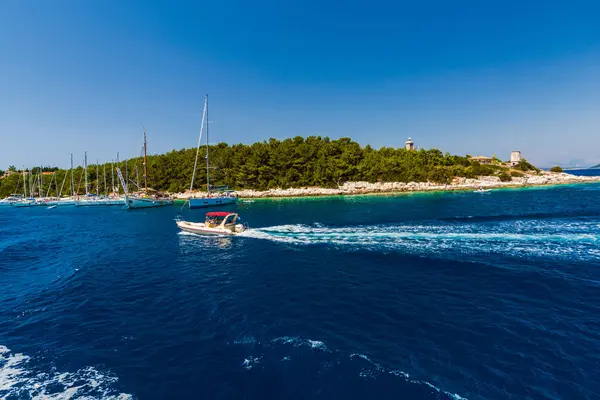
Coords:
pixel 357 188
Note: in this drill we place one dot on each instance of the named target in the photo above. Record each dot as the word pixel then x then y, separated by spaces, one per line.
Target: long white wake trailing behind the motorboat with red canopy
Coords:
pixel 542 238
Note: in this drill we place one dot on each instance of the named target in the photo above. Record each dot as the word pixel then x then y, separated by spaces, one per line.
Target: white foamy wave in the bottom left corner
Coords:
pixel 19 379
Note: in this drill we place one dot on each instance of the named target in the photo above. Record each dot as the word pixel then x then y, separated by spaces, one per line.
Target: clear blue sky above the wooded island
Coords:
pixel 477 77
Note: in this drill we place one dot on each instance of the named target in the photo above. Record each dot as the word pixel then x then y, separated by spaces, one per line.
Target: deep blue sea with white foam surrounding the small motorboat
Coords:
pixel 422 296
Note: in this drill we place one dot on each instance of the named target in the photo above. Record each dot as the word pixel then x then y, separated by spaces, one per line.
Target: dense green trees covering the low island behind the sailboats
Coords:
pixel 297 162
